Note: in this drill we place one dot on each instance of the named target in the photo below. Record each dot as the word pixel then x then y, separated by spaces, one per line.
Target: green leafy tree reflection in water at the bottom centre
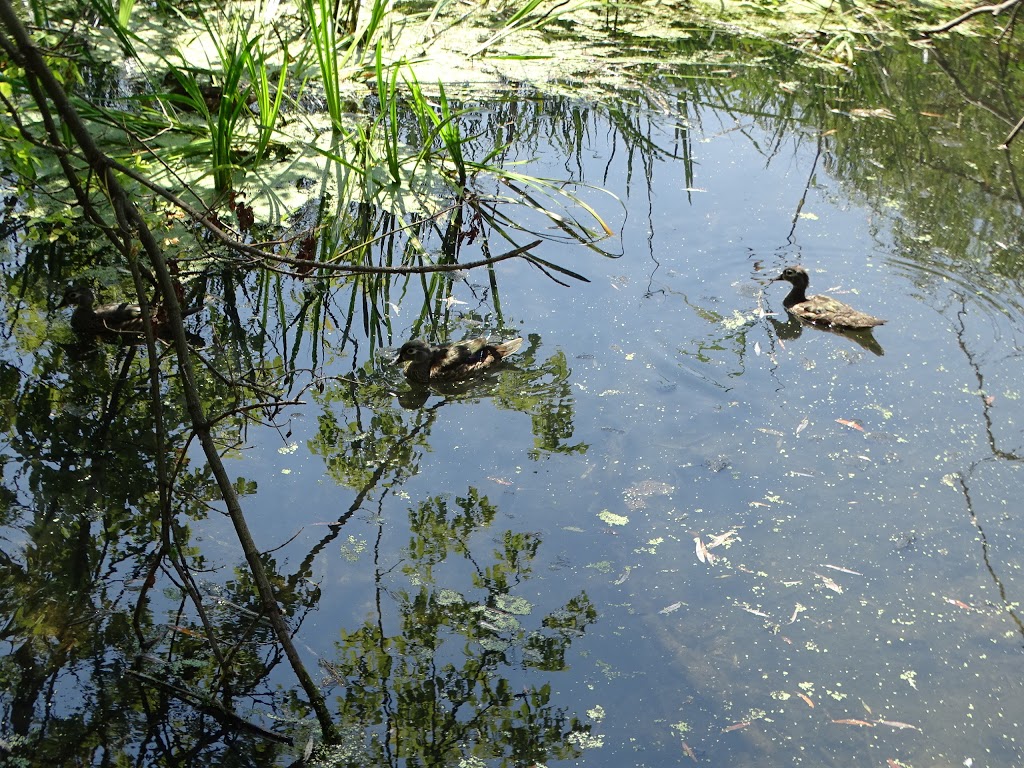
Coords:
pixel 443 673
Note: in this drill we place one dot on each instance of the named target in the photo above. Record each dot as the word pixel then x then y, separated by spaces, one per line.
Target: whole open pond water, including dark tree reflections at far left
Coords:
pixel 676 528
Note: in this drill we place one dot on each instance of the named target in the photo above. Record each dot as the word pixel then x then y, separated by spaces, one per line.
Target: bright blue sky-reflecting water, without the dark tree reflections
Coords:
pixel 864 605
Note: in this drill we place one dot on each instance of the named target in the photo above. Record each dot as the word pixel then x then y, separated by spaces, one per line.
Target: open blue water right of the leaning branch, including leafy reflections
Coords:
pixel 862 605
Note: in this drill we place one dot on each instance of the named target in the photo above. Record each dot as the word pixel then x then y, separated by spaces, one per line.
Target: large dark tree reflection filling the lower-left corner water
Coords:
pixel 94 653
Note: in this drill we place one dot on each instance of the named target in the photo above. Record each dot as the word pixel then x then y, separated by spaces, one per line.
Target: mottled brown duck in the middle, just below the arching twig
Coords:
pixel 425 363
